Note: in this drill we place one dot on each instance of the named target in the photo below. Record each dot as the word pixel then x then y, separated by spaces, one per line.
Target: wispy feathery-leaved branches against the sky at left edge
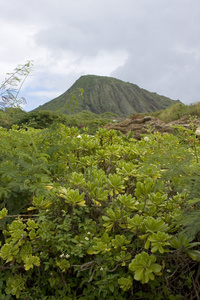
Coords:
pixel 11 86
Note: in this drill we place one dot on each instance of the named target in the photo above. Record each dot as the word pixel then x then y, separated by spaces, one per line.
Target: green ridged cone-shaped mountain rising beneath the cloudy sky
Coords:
pixel 107 94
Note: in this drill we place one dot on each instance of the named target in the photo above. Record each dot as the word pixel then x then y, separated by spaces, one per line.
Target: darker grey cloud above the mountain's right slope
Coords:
pixel 173 75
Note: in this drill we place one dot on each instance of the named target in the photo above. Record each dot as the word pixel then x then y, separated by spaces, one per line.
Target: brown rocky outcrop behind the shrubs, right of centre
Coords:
pixel 148 123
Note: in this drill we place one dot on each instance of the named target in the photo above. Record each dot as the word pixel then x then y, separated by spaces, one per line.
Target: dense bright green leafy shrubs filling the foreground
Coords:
pixel 98 217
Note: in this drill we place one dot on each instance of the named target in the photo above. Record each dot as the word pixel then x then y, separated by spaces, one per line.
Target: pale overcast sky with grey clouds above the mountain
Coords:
pixel 152 43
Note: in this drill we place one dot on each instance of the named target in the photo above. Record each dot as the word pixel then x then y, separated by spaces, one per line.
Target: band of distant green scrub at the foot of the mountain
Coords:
pixel 86 120
